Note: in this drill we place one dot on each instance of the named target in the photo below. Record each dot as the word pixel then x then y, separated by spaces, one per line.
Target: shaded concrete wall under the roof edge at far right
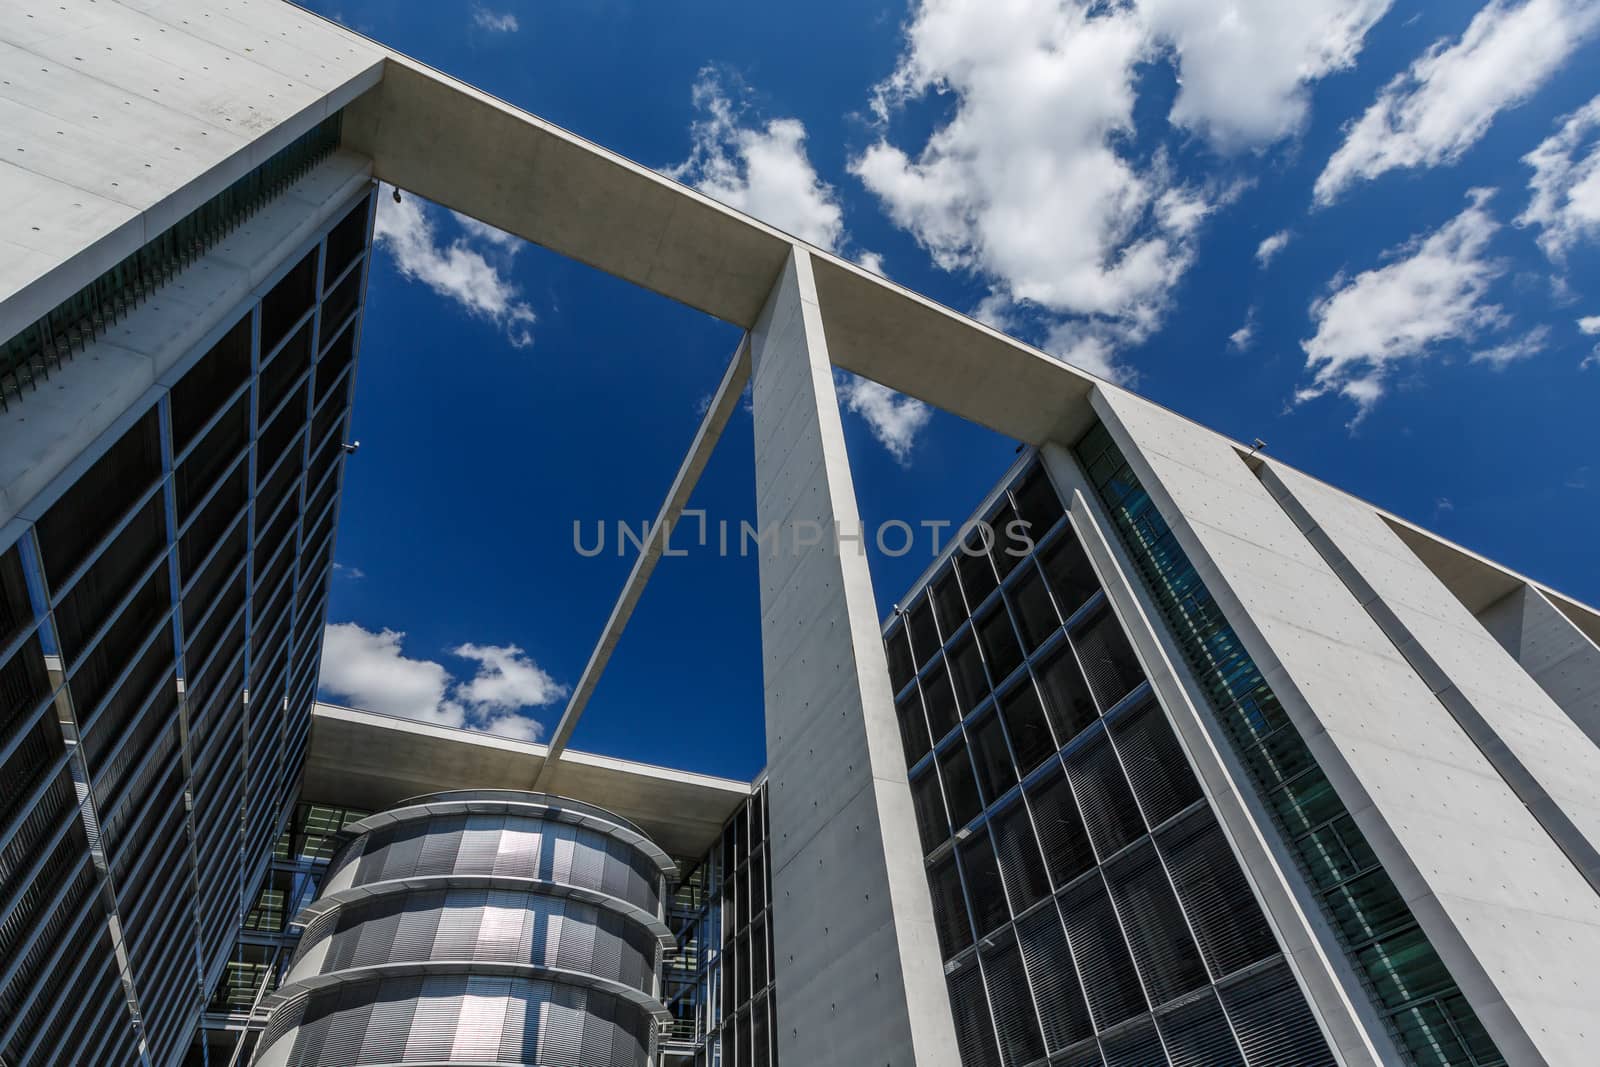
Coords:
pixel 1554 653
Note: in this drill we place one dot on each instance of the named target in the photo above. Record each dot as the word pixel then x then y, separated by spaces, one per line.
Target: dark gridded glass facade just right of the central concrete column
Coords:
pixel 1087 903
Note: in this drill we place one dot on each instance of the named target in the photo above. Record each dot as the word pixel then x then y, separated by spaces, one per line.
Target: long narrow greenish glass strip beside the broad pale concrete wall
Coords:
pixel 1409 983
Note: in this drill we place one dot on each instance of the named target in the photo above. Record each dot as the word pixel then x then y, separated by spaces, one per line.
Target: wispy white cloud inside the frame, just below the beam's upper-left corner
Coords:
pixel 458 271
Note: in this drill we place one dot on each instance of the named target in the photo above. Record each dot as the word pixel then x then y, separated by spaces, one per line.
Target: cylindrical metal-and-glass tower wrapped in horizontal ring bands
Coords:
pixel 479 927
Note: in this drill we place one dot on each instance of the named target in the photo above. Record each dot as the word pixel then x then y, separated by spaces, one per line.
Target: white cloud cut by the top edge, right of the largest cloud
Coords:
pixel 1246 66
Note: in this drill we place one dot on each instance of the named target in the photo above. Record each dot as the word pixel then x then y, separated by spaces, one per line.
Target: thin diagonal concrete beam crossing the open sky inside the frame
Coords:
pixel 706 439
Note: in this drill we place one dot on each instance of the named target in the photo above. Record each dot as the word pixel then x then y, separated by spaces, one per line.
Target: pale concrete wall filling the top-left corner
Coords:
pixel 129 114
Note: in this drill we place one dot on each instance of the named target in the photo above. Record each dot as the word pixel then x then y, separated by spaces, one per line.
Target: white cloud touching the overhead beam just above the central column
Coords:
pixel 759 170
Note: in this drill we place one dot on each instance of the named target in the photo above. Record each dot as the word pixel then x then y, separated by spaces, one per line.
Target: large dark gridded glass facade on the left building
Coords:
pixel 159 642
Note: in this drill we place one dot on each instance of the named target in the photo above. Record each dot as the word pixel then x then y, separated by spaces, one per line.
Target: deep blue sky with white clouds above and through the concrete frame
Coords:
pixel 1366 231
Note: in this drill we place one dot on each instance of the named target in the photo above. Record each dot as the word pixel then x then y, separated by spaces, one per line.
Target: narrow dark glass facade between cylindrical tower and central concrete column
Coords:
pixel 719 985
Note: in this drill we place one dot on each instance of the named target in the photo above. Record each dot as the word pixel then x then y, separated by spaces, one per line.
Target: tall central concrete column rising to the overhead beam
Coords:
pixel 860 980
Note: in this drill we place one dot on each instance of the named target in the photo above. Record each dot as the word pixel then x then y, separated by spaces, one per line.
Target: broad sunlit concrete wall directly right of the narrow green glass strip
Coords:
pixel 1510 914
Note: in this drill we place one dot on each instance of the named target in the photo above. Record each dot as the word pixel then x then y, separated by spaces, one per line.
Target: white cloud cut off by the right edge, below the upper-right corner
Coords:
pixel 1566 183
